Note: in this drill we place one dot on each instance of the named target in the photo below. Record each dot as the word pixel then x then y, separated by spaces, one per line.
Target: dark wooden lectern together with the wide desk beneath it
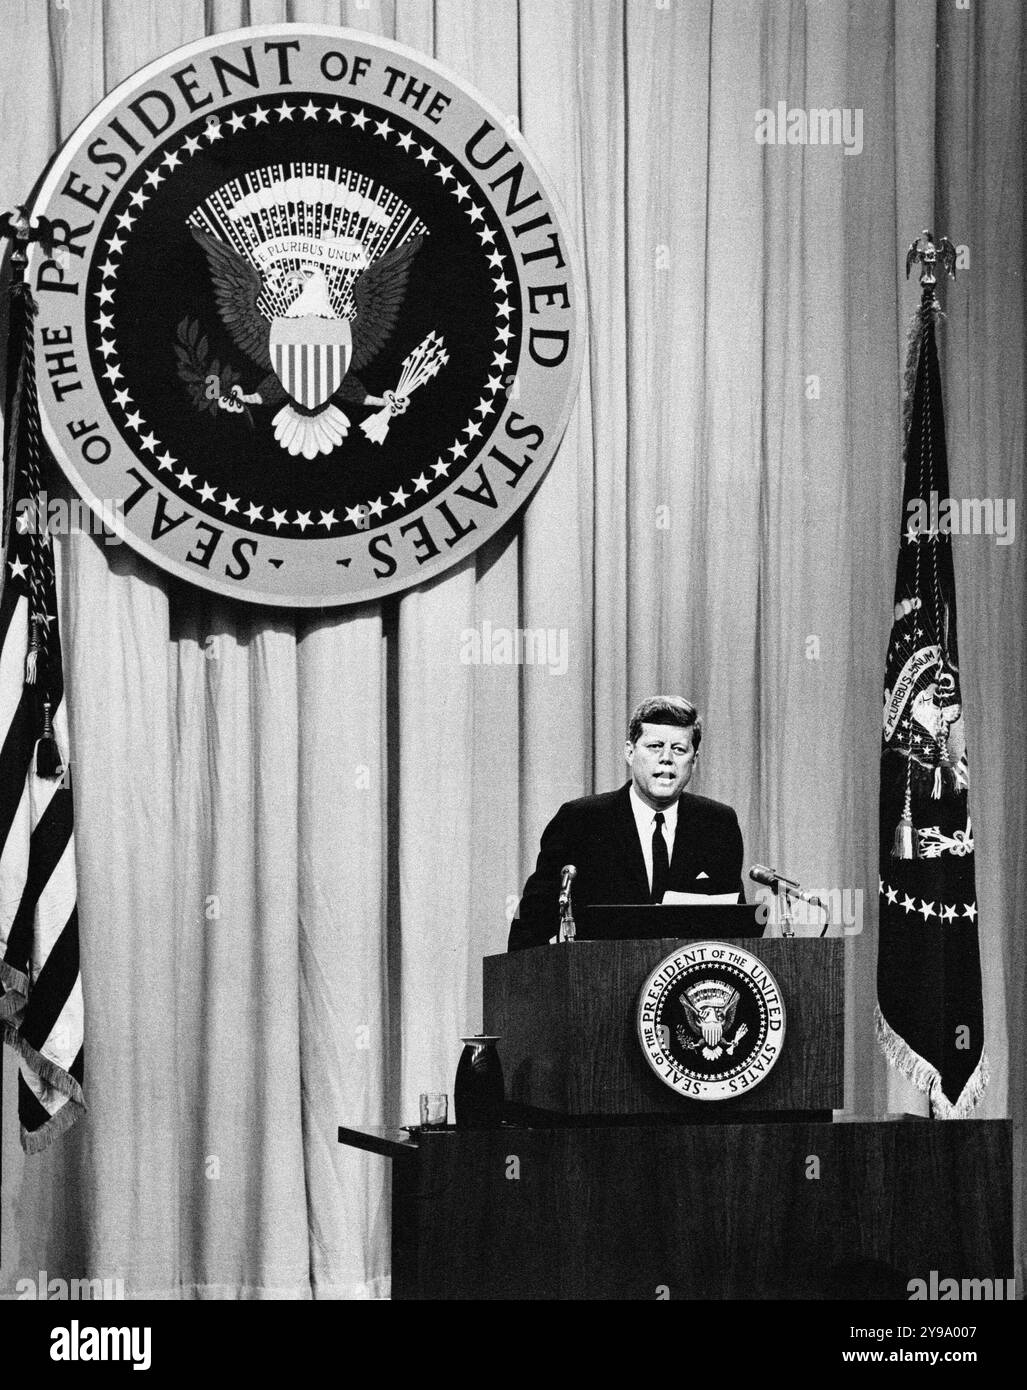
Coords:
pixel 609 1184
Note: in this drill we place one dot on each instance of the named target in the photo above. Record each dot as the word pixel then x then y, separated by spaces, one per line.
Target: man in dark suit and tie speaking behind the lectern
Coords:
pixel 634 844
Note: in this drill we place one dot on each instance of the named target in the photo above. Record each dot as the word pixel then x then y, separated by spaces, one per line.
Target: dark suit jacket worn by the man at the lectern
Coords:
pixel 600 837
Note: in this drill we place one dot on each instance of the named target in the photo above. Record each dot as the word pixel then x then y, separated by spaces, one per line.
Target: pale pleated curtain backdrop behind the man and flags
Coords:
pixel 298 835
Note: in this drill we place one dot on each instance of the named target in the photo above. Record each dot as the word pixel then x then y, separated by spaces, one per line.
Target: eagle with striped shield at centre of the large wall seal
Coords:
pixel 309 277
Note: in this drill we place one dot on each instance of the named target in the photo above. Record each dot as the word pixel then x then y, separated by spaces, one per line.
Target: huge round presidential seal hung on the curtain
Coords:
pixel 312 327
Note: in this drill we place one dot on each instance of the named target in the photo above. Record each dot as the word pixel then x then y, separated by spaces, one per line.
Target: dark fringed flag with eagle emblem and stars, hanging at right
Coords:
pixel 930 1018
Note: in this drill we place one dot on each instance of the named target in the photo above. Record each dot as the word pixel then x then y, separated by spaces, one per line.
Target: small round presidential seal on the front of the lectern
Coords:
pixel 712 1021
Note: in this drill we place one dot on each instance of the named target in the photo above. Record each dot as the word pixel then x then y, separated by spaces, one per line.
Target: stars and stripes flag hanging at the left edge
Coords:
pixel 41 989
